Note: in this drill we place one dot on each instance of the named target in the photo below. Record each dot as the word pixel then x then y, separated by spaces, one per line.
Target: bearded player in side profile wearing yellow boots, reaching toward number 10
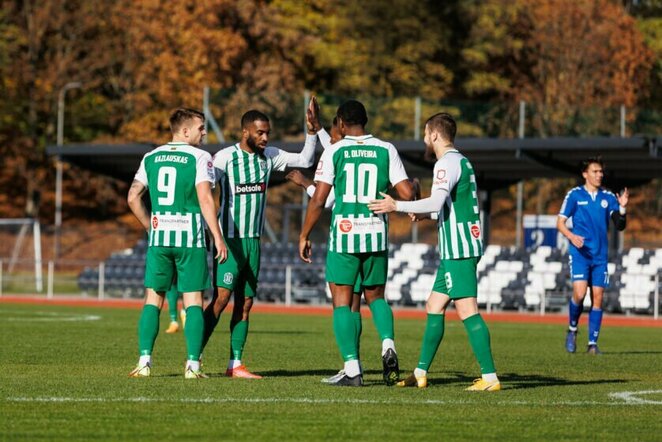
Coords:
pixel 454 200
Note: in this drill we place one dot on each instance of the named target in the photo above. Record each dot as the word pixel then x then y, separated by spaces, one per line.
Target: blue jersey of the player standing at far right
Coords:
pixel 590 215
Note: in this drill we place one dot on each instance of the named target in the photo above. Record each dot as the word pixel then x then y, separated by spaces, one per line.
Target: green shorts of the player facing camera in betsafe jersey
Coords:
pixel 240 271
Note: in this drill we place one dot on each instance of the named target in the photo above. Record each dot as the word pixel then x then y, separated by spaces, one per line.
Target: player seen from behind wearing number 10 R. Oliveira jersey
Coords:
pixel 358 168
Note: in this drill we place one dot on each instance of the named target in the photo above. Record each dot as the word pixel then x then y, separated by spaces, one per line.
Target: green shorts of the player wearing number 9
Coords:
pixel 189 265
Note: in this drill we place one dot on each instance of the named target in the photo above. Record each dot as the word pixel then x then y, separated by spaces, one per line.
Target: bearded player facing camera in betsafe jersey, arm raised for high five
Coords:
pixel 243 171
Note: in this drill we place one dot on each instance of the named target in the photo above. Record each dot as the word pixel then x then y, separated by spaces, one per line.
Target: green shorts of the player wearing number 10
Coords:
pixel 347 268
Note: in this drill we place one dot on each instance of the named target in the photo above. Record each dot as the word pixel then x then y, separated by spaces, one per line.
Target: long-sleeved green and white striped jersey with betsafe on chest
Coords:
pixel 244 178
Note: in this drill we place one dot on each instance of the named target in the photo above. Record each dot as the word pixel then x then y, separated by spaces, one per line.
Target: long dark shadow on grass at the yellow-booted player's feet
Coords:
pixel 518 382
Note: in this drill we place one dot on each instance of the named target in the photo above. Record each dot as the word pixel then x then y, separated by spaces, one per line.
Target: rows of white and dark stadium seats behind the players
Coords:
pixel 508 278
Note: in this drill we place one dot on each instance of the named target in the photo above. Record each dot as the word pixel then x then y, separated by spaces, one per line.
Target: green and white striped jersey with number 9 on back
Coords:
pixel 171 173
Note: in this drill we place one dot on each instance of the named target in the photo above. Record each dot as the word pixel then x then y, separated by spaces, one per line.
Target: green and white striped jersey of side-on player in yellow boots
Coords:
pixel 460 235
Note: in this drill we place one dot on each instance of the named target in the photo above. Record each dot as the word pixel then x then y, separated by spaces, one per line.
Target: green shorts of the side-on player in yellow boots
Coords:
pixel 457 278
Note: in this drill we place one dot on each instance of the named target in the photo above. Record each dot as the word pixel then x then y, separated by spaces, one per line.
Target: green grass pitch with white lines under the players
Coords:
pixel 62 378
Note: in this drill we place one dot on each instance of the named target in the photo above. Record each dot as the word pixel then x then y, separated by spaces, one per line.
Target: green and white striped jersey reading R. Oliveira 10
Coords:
pixel 359 168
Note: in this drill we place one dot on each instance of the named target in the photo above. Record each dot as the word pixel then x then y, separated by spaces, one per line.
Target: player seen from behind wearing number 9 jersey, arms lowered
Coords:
pixel 179 177
